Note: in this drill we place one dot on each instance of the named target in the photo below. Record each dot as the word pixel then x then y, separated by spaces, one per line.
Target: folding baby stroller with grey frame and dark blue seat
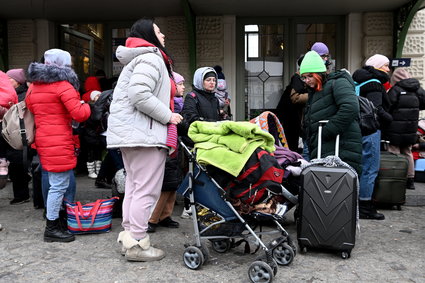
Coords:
pixel 226 225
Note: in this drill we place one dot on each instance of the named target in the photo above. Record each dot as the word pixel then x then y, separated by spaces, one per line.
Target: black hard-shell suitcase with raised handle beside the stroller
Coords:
pixel 327 207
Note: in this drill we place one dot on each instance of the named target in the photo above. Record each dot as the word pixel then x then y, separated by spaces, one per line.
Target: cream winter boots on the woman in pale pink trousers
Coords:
pixel 140 250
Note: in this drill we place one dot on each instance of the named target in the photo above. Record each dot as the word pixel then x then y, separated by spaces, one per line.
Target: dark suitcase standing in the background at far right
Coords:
pixel 390 185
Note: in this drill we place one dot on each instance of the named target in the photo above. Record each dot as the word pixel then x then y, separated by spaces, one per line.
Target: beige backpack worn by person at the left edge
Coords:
pixel 18 127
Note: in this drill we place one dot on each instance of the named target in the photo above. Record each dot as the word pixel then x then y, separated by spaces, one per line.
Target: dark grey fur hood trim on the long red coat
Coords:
pixel 42 73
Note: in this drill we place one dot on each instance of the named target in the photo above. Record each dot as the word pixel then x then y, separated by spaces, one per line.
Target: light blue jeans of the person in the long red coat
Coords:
pixel 59 184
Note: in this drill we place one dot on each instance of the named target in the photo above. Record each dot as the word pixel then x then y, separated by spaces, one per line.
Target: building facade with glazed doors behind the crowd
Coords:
pixel 258 54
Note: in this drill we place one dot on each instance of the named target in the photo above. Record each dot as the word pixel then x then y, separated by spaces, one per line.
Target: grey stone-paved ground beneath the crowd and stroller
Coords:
pixel 386 251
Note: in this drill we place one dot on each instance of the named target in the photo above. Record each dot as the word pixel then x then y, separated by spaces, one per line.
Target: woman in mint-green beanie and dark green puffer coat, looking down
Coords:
pixel 331 97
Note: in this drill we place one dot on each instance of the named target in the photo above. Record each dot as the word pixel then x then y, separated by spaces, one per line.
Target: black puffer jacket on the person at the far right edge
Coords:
pixel 407 98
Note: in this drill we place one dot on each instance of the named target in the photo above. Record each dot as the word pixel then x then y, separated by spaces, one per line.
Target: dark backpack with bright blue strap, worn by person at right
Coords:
pixel 368 116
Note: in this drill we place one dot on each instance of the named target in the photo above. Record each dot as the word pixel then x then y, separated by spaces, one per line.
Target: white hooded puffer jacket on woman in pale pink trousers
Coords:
pixel 140 108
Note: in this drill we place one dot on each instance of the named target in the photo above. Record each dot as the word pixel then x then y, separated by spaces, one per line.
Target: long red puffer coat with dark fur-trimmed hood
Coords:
pixel 55 102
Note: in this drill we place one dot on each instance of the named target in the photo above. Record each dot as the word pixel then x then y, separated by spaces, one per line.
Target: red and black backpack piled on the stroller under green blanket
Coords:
pixel 260 178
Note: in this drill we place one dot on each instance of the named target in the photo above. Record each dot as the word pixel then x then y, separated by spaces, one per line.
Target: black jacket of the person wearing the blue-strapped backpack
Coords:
pixel 375 91
